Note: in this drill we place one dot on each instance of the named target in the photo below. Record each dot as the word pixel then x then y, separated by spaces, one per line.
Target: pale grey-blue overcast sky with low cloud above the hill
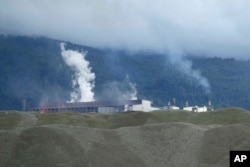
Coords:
pixel 207 27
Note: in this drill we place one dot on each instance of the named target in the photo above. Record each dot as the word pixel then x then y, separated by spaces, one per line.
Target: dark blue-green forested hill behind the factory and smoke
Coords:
pixel 33 70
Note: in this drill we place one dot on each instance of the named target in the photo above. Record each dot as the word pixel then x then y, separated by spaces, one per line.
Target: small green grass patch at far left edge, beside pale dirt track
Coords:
pixel 9 119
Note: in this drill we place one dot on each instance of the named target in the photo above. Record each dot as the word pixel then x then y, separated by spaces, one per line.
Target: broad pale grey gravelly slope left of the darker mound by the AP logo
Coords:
pixel 161 145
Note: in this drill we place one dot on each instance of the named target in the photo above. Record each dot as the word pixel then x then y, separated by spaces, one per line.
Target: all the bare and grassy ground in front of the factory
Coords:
pixel 155 139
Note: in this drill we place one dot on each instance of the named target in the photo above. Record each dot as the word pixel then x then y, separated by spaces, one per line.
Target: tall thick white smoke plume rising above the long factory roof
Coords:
pixel 83 81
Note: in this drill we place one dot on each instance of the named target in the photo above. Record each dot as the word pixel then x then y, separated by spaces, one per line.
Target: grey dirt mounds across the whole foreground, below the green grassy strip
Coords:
pixel 155 145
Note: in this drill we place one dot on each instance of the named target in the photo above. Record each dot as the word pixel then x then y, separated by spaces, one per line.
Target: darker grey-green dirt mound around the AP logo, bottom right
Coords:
pixel 217 142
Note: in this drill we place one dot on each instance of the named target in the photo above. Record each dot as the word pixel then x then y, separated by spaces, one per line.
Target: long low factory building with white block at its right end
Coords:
pixel 100 106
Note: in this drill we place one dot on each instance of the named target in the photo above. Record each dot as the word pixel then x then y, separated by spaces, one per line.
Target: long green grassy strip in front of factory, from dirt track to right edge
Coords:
pixel 135 118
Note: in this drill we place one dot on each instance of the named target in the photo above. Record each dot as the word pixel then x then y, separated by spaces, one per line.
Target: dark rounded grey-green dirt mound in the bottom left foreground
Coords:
pixel 43 146
